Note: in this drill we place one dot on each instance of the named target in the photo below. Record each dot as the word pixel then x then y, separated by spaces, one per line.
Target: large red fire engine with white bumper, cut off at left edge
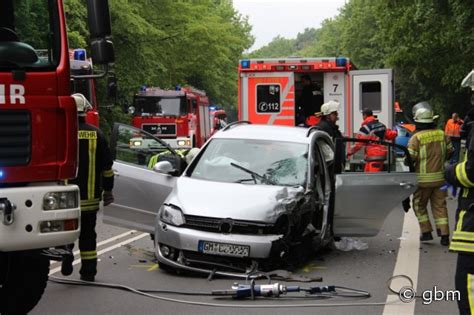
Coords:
pixel 38 143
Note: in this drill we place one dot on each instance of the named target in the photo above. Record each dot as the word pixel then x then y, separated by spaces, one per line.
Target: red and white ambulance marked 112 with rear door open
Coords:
pixel 269 90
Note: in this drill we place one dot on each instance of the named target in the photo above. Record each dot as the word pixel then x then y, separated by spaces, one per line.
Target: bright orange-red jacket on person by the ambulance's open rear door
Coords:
pixel 372 129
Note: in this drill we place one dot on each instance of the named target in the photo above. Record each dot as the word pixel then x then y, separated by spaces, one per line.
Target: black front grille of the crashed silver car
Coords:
pixel 219 225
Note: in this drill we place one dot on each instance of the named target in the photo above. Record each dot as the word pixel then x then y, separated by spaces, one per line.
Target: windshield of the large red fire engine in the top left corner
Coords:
pixel 29 35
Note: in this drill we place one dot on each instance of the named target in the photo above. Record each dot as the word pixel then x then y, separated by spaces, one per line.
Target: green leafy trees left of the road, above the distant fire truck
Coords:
pixel 166 42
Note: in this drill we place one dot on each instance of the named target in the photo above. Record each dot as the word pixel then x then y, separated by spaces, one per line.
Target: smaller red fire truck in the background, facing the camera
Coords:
pixel 180 117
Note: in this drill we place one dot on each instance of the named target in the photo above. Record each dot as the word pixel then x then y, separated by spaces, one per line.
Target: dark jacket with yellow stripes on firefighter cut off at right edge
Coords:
pixel 462 175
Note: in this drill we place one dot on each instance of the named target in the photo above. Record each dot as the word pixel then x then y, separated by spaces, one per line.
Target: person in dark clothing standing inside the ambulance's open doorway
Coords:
pixel 310 100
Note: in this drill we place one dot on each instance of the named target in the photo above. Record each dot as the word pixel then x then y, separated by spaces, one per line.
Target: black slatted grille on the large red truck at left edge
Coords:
pixel 15 138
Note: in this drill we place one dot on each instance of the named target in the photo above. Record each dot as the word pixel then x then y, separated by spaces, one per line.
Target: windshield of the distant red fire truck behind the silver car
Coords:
pixel 160 106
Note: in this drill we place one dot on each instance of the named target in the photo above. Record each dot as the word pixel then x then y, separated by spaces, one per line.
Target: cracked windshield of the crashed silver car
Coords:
pixel 272 163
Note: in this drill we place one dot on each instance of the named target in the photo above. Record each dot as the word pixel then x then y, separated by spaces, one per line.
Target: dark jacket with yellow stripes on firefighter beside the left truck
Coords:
pixel 95 166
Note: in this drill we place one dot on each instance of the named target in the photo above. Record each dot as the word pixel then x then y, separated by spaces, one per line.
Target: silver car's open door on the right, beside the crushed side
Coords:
pixel 364 200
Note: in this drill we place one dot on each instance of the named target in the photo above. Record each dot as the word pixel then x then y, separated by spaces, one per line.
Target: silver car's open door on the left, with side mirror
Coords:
pixel 139 191
